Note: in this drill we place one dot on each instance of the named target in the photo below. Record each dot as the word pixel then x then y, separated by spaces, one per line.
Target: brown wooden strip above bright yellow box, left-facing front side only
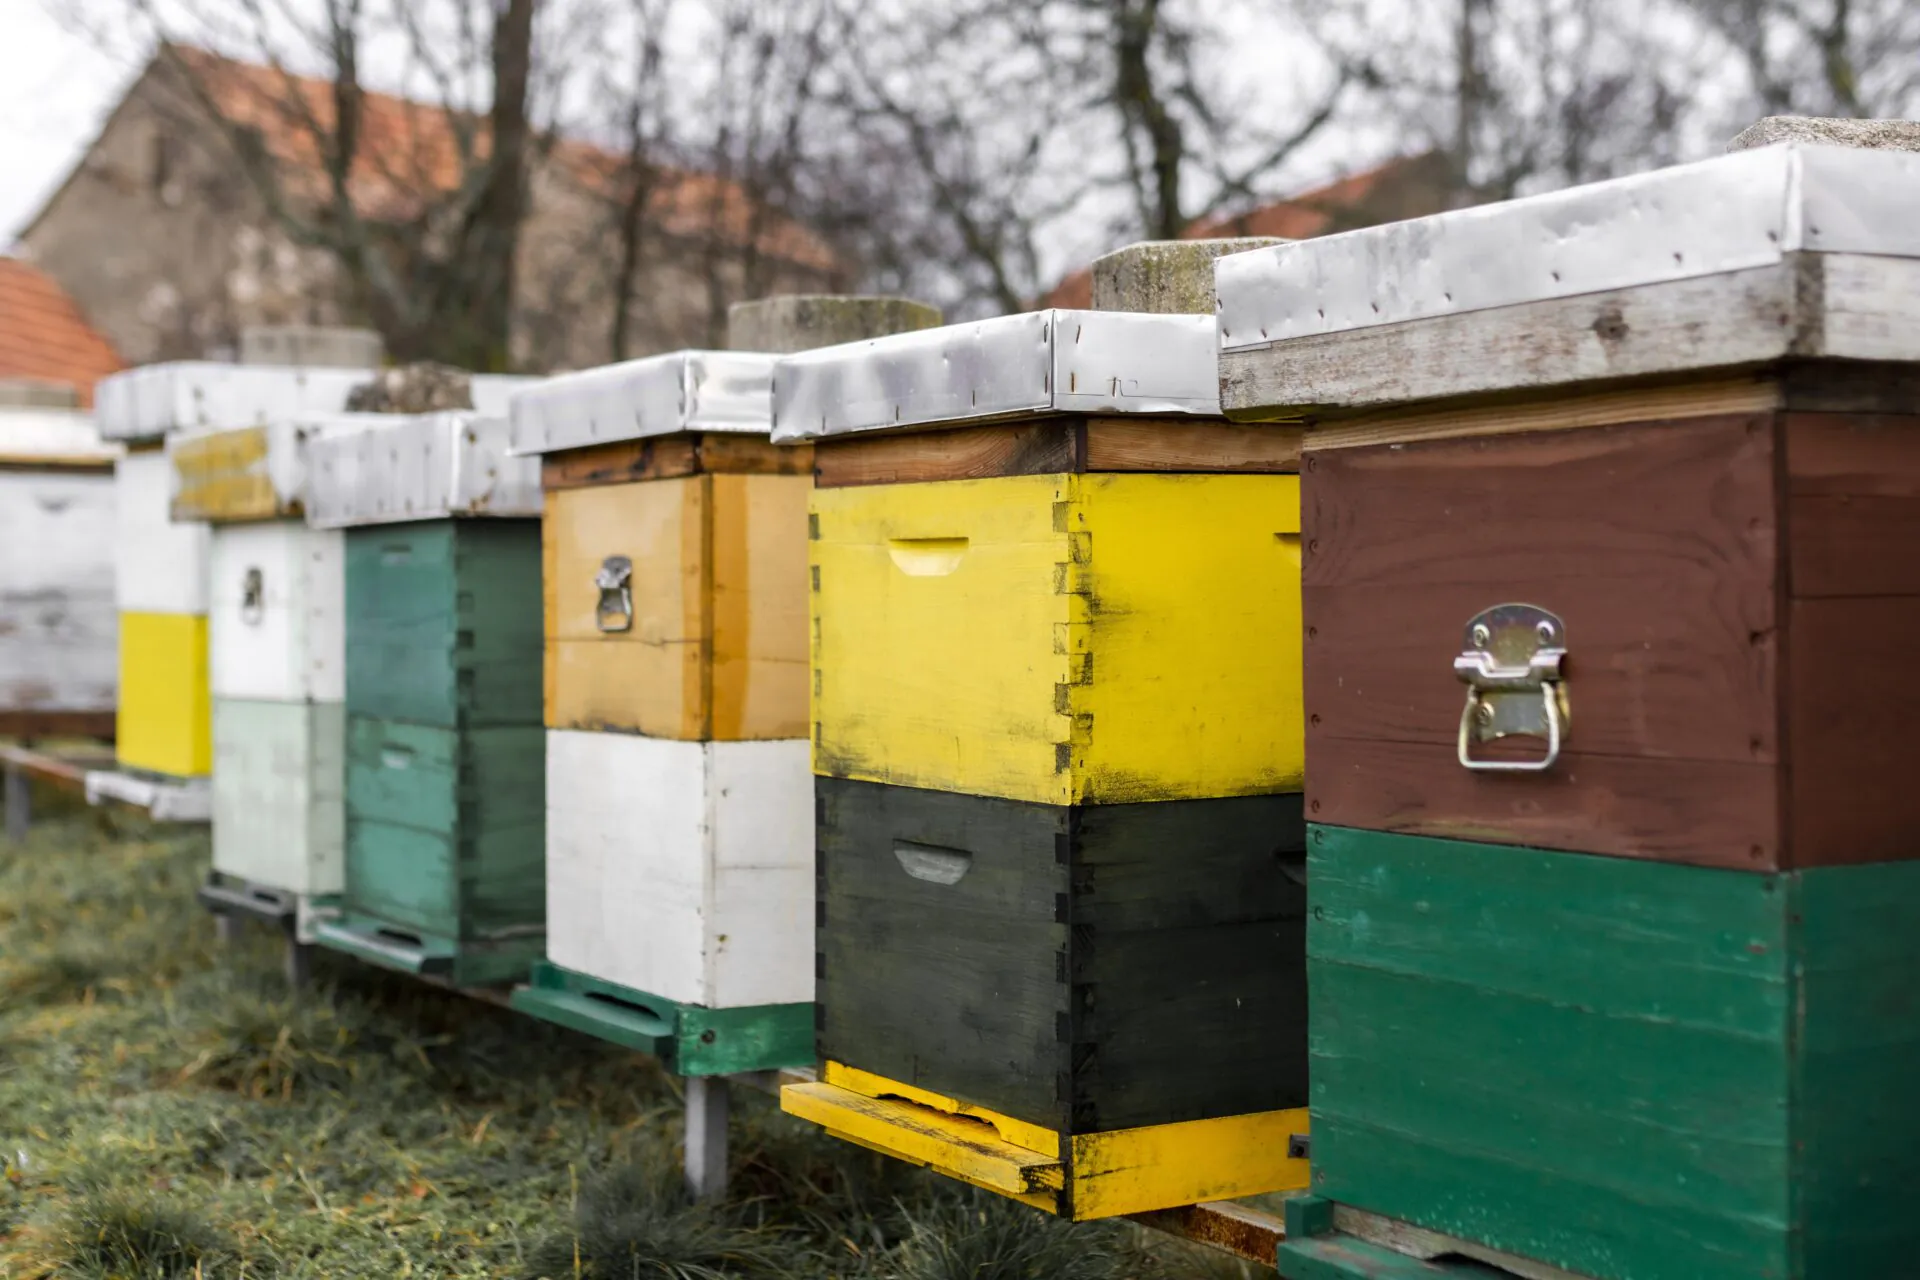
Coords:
pixel 1028 448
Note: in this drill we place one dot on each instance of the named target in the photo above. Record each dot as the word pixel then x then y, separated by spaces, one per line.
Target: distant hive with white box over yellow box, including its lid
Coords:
pixel 166 723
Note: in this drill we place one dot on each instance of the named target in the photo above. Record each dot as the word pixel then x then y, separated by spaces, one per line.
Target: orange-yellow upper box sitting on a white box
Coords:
pixel 719 582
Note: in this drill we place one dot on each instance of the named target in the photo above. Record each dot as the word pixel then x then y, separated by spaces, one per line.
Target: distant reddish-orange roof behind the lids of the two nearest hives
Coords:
pixel 1401 189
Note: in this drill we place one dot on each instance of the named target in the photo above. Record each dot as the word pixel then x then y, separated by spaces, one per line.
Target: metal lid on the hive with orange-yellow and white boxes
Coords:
pixel 656 396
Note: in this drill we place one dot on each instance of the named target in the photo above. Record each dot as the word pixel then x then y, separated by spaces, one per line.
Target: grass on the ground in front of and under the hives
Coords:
pixel 170 1110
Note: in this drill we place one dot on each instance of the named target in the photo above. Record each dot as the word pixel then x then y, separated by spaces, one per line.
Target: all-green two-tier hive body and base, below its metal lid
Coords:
pixel 446 751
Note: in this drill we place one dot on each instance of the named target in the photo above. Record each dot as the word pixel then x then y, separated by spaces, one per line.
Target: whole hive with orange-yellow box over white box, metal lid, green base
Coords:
pixel 679 795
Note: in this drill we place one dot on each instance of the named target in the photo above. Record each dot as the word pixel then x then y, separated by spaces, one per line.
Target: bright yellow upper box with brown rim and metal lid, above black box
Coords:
pixel 1072 582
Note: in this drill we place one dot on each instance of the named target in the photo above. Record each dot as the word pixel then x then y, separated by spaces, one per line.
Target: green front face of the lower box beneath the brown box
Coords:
pixel 1575 1060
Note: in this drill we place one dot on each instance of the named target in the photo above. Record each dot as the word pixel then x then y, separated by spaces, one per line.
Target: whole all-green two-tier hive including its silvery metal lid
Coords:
pixel 444 799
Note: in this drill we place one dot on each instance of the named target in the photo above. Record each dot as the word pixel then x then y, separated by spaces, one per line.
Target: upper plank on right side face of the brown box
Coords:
pixel 1854 504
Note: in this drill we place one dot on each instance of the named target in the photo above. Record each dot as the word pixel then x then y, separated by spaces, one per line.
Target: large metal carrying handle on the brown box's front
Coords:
pixel 1516 686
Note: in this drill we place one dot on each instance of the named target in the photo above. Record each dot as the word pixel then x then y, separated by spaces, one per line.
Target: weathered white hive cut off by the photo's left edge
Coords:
pixel 59 630
